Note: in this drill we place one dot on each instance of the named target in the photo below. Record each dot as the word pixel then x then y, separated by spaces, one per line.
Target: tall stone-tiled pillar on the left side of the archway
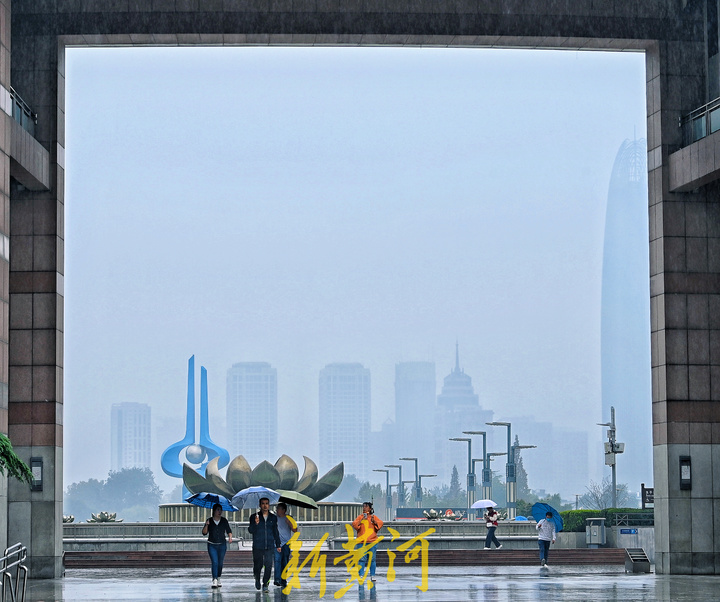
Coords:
pixel 36 313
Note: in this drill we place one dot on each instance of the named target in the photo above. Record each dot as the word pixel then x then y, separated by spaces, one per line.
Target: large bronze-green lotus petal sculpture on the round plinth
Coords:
pixel 283 475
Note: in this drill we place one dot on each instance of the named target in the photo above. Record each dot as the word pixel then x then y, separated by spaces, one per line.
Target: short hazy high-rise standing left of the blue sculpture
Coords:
pixel 130 435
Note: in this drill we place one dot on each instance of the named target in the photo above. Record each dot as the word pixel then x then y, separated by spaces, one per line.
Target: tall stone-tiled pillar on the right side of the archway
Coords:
pixel 685 314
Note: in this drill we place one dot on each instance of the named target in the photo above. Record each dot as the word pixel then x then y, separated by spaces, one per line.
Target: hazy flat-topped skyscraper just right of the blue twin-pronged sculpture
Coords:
pixel 251 411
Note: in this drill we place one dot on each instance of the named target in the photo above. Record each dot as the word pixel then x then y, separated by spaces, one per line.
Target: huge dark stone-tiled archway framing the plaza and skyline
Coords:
pixel 683 211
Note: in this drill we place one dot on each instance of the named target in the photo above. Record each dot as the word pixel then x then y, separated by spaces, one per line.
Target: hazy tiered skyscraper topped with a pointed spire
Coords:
pixel 458 410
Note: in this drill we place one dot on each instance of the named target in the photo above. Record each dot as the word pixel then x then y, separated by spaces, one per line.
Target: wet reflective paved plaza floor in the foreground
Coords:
pixel 573 583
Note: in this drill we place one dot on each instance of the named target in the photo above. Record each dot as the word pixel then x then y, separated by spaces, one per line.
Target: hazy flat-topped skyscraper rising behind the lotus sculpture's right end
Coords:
pixel 345 418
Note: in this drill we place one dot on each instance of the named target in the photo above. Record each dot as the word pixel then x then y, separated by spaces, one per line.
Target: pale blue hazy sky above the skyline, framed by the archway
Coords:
pixel 304 206
